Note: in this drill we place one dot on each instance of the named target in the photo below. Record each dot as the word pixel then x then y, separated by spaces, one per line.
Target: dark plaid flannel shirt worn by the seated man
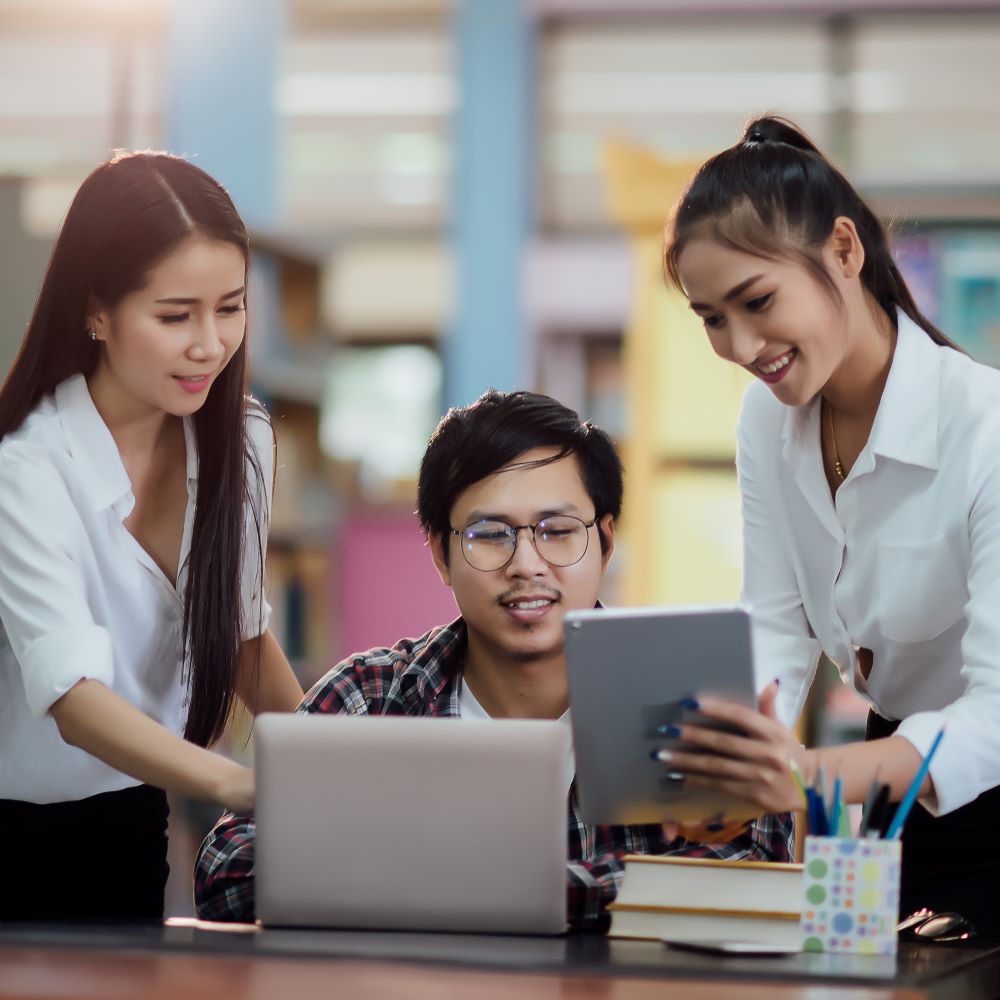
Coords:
pixel 423 677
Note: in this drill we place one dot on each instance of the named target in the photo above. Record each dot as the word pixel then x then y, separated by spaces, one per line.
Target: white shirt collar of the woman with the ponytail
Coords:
pixel 906 423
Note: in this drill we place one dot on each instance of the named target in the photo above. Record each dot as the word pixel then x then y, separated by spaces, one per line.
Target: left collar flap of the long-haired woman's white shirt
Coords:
pixel 102 474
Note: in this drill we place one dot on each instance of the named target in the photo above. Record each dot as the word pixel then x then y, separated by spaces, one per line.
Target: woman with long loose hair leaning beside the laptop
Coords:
pixel 135 478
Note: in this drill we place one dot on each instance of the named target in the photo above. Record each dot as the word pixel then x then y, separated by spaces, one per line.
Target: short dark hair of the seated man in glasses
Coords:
pixel 473 442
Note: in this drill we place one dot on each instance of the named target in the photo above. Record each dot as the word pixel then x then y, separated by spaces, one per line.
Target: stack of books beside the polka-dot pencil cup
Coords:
pixel 698 900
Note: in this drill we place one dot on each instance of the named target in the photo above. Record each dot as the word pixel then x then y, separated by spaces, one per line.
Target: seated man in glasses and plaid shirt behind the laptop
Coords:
pixel 518 498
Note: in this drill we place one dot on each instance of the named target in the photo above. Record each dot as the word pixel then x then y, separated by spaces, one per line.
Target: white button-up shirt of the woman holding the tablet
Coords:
pixel 905 561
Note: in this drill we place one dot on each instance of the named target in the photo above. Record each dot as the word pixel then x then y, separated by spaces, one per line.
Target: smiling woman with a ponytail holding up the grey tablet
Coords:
pixel 870 479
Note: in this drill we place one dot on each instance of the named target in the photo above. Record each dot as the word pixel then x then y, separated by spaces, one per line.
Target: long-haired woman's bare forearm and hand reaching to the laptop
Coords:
pixel 94 718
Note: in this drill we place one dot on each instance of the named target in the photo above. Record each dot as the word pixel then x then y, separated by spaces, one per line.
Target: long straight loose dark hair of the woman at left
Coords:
pixel 129 214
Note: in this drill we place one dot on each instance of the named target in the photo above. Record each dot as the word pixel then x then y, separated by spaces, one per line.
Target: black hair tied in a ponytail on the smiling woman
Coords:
pixel 775 195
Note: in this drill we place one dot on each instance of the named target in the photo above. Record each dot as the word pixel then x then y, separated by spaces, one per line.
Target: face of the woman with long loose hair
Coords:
pixel 165 344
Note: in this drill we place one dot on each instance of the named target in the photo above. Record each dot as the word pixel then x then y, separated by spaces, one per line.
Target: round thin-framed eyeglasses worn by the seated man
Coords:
pixel 561 540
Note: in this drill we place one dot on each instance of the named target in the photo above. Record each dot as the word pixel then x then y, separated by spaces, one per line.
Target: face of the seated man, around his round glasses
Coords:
pixel 516 612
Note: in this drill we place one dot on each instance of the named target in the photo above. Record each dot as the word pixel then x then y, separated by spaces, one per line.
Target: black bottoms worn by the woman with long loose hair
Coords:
pixel 99 859
